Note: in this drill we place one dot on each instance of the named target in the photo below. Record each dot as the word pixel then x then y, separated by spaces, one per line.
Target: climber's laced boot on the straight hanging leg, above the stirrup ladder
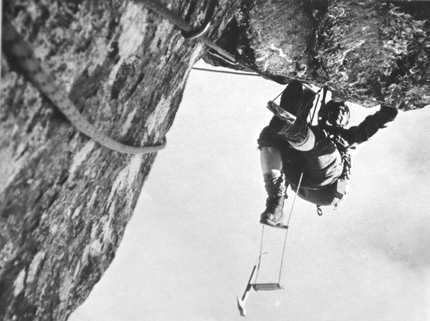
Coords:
pixel 276 188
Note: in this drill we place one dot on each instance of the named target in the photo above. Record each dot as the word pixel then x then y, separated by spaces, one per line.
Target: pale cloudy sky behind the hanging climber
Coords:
pixel 194 237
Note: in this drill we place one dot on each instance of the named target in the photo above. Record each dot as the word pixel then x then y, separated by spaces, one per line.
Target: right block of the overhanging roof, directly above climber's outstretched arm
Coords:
pixel 372 52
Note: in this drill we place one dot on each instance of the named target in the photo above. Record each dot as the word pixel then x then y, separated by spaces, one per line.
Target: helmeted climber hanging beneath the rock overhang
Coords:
pixel 289 146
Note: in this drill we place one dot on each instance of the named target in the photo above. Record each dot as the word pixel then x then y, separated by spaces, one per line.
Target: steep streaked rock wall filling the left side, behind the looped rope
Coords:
pixel 64 199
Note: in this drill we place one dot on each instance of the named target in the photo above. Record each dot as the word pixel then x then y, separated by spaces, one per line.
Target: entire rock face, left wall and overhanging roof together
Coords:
pixel 65 200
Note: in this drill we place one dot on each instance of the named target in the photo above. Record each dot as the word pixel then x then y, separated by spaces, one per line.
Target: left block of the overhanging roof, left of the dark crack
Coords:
pixel 275 37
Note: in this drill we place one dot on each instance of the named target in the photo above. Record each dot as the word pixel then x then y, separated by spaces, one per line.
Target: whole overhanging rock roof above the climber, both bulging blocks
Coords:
pixel 368 52
